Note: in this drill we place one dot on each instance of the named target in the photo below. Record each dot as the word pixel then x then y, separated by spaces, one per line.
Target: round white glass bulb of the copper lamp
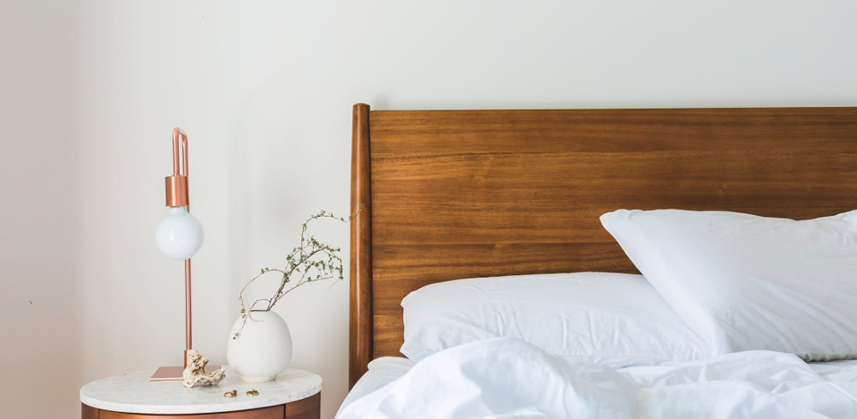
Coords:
pixel 179 235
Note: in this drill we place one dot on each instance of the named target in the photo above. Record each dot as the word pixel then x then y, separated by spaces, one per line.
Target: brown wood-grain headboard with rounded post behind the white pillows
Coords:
pixel 460 194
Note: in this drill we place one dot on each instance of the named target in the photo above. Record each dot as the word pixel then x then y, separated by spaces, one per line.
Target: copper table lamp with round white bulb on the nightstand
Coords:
pixel 179 236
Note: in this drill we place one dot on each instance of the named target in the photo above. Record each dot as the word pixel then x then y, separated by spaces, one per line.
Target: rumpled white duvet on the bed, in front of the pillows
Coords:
pixel 509 378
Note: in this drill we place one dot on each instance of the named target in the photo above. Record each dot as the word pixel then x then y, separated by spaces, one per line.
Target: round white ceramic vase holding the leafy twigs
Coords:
pixel 262 350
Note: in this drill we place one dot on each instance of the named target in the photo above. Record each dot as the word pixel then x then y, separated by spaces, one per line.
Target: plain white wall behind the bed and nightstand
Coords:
pixel 90 90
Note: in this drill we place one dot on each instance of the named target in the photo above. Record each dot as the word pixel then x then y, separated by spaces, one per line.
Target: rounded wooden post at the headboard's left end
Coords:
pixel 360 325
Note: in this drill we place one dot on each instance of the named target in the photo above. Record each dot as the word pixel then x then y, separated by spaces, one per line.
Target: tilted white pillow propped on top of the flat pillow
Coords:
pixel 745 282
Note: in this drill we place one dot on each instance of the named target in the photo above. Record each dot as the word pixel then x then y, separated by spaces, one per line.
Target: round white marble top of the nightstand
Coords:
pixel 134 393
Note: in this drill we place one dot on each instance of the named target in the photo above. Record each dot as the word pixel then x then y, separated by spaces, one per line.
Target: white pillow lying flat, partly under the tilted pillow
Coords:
pixel 617 319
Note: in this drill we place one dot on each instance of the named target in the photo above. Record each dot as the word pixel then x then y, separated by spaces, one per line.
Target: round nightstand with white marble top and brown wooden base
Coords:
pixel 295 394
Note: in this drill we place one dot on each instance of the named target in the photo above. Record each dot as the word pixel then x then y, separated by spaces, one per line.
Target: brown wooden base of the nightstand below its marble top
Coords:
pixel 309 408
